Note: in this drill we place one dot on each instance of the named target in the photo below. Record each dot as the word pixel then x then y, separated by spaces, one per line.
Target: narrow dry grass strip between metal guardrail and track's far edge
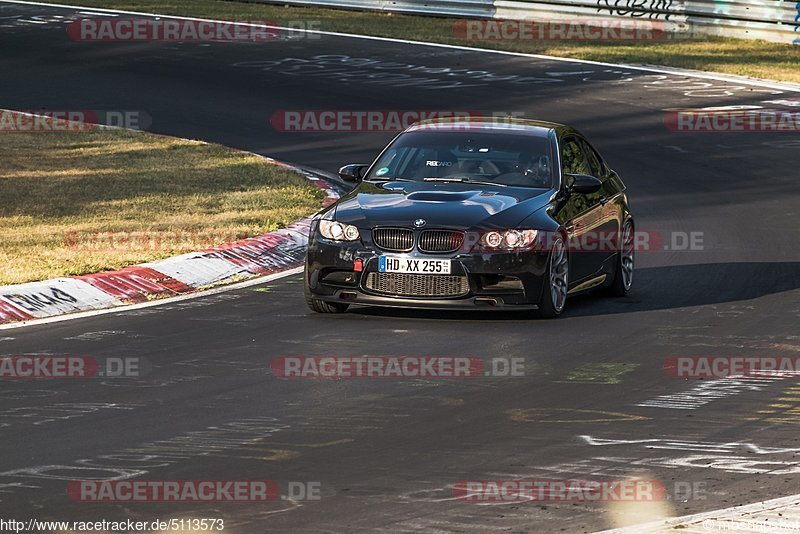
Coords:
pixel 758 59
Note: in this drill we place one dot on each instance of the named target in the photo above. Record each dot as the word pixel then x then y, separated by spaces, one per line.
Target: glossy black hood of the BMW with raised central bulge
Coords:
pixel 447 205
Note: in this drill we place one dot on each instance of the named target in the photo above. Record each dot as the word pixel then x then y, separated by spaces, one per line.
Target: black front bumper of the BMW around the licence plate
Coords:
pixel 507 280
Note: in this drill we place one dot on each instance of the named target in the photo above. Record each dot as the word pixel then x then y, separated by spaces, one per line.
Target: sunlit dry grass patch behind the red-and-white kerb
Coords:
pixel 86 201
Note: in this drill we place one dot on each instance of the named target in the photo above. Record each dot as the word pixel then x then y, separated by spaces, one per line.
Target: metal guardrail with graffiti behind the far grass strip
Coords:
pixel 771 20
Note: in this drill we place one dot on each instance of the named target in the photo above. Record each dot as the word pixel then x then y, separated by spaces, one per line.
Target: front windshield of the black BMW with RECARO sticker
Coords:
pixel 487 158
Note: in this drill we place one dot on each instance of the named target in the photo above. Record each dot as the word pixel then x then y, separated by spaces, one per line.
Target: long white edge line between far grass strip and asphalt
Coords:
pixel 784 86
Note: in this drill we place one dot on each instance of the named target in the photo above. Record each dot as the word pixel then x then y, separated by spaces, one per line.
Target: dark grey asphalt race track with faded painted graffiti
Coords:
pixel 386 453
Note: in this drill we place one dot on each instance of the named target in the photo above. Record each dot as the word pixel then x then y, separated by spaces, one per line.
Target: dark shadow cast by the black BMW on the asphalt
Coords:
pixel 655 288
